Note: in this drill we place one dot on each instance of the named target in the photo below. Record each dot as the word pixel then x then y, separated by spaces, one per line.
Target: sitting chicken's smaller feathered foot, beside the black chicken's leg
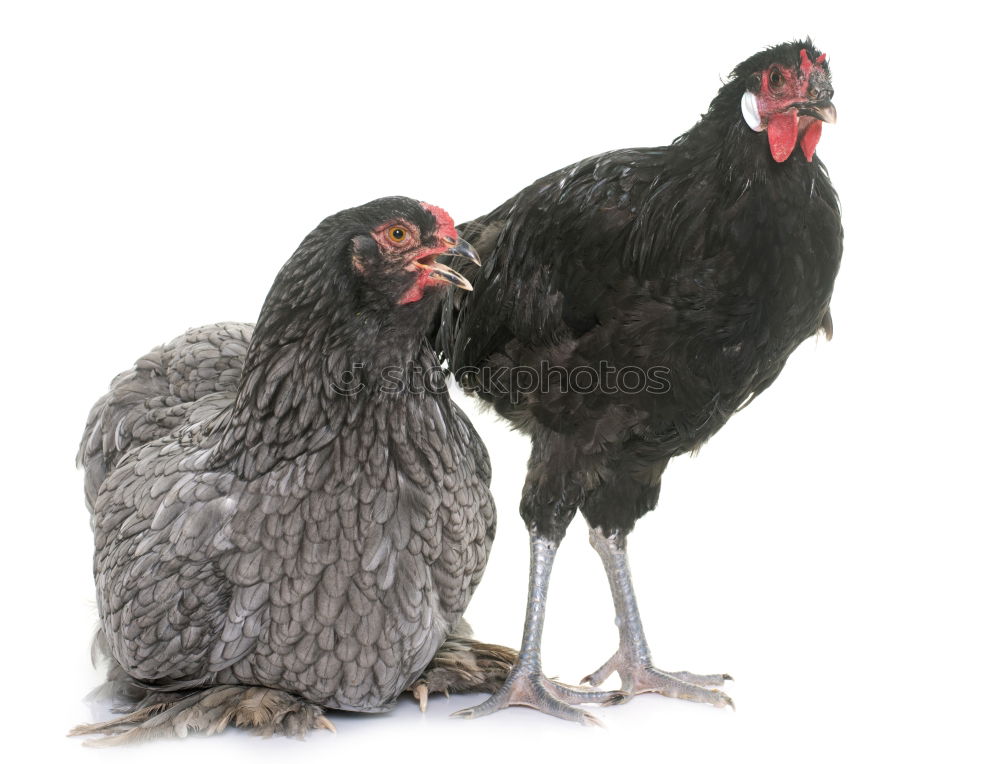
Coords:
pixel 464 665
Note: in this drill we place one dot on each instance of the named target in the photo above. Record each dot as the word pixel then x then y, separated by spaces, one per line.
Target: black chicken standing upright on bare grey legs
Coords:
pixel 713 257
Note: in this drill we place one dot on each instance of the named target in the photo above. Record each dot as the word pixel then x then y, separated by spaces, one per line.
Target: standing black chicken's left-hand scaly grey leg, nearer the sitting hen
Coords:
pixel 526 685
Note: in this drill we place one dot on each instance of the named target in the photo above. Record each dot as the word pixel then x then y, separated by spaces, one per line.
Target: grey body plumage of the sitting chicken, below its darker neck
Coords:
pixel 335 575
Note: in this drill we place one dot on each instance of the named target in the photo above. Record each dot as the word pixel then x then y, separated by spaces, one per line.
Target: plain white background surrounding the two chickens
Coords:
pixel 834 547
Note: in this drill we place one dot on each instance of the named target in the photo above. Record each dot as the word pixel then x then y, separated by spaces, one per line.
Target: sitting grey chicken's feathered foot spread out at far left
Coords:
pixel 264 711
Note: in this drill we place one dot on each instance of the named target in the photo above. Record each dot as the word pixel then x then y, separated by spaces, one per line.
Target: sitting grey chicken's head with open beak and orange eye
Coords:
pixel 394 246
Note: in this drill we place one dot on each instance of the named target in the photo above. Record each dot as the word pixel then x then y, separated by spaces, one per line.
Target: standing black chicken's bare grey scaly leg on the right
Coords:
pixel 633 661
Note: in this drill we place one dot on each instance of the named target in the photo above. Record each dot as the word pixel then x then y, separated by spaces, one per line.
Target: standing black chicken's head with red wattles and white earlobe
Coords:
pixel 787 92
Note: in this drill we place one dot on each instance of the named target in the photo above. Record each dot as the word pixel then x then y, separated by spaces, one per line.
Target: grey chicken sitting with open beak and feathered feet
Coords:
pixel 296 523
